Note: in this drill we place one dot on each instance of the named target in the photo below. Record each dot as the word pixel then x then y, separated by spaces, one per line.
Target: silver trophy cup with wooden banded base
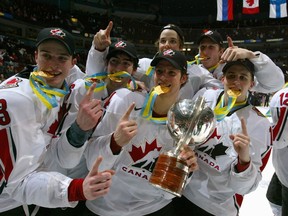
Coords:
pixel 189 122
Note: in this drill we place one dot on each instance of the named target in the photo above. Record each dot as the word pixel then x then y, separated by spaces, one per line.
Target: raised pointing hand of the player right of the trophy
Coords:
pixel 241 143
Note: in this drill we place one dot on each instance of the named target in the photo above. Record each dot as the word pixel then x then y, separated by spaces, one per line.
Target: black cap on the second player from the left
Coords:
pixel 123 46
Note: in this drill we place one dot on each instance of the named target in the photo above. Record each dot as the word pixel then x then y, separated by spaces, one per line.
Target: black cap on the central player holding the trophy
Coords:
pixel 176 58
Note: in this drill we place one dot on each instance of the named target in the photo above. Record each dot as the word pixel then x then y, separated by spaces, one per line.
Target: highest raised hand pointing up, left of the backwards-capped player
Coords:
pixel 102 38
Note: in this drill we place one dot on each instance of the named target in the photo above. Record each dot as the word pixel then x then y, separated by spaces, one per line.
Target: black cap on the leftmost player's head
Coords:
pixel 58 34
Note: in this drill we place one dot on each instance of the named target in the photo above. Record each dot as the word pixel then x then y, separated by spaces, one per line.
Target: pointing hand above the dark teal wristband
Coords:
pixel 90 110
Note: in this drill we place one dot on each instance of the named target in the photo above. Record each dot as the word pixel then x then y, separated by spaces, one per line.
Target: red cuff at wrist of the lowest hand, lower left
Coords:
pixel 75 190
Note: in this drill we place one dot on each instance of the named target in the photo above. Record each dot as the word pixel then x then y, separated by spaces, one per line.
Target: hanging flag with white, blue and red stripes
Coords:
pixel 224 10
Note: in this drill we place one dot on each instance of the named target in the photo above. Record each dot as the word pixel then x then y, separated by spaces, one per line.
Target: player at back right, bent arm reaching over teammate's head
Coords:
pixel 213 55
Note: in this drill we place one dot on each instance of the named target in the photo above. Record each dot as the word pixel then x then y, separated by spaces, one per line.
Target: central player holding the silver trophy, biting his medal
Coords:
pixel 131 137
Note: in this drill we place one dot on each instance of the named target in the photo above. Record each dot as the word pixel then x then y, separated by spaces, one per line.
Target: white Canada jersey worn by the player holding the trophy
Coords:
pixel 130 193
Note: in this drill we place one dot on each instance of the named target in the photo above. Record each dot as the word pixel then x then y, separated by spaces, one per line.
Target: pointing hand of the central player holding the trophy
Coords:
pixel 126 128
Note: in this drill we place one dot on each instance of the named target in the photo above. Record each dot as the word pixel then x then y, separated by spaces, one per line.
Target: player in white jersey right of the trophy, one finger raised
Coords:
pixel 230 161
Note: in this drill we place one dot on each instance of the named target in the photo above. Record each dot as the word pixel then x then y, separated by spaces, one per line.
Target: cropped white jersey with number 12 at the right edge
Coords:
pixel 279 112
